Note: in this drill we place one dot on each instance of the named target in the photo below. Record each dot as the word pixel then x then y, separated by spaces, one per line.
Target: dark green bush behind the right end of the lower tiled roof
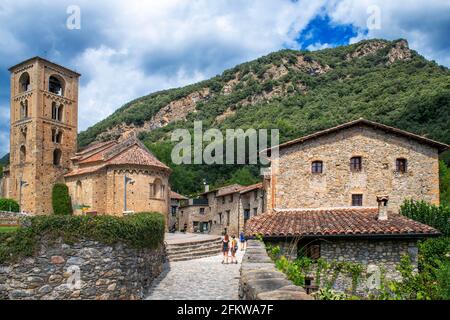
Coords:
pixel 437 217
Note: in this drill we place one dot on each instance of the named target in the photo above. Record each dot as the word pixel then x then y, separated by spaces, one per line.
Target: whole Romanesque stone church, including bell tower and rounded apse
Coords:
pixel 105 178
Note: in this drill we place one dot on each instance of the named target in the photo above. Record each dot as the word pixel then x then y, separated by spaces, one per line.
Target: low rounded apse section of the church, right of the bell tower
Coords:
pixel 97 180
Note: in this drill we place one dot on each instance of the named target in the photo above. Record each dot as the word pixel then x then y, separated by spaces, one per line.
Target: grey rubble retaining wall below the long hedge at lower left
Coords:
pixel 106 272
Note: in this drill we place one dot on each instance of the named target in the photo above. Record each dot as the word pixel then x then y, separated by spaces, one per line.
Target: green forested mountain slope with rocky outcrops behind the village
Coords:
pixel 296 92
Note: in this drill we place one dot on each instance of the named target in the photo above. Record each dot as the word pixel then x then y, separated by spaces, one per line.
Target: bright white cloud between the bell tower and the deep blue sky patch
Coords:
pixel 157 45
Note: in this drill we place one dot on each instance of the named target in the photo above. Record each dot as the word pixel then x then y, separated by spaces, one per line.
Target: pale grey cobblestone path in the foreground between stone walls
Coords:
pixel 199 279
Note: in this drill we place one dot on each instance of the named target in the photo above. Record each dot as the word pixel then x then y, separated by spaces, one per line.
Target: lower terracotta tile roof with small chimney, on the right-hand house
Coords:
pixel 334 222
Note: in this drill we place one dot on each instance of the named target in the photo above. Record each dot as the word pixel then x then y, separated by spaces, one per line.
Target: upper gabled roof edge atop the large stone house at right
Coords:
pixel 440 146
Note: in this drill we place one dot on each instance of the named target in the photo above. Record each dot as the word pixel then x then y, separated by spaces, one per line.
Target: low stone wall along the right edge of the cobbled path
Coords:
pixel 260 280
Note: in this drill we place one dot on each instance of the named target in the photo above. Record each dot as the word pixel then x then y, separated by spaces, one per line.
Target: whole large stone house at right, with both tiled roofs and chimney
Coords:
pixel 336 194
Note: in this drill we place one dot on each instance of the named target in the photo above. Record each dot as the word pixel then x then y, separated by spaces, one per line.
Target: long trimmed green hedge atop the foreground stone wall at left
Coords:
pixel 141 230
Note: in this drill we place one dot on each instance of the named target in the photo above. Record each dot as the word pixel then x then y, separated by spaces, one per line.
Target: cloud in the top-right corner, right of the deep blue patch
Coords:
pixel 424 24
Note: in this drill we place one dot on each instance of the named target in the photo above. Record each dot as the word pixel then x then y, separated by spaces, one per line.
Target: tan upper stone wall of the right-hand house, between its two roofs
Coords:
pixel 335 186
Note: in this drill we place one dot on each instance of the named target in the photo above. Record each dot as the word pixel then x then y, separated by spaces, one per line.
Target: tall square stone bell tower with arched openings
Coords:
pixel 44 111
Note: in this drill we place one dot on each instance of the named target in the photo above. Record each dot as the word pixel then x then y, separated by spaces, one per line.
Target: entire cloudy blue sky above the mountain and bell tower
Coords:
pixel 126 49
